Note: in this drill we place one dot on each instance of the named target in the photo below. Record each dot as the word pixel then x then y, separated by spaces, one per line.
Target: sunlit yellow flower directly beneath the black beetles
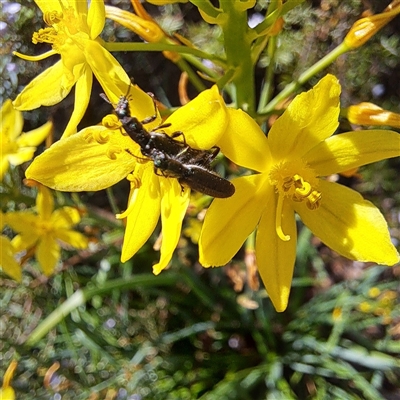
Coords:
pixel 84 161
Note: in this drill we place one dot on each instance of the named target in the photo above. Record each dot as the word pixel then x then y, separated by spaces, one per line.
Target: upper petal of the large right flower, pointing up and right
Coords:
pixel 310 118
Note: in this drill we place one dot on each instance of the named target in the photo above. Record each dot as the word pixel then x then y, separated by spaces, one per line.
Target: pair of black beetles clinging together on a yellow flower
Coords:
pixel 174 158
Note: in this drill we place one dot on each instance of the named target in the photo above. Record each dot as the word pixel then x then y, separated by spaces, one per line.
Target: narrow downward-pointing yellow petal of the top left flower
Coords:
pixel 83 90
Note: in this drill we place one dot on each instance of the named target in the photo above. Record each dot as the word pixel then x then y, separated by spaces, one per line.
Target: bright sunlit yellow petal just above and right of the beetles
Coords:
pixel 203 120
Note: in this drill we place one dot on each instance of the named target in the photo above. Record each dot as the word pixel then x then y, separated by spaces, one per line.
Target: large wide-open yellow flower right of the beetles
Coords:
pixel 299 150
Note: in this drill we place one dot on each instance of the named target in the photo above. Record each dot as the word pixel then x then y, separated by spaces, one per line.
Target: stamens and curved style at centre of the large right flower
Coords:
pixel 294 181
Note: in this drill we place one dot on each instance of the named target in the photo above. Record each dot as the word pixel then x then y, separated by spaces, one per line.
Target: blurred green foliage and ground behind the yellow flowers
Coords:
pixel 193 333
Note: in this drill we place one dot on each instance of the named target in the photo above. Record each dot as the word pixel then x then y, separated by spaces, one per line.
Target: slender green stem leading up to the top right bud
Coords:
pixel 305 76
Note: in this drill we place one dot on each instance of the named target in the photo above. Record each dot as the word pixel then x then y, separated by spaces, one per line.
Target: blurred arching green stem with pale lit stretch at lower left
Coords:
pixel 81 296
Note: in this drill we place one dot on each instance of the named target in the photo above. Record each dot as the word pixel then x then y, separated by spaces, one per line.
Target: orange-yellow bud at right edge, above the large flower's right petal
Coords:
pixel 371 114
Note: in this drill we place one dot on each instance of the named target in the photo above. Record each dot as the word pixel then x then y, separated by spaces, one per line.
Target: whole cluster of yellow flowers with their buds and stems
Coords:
pixel 286 172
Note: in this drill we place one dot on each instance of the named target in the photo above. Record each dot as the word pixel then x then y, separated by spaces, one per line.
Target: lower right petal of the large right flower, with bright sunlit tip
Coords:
pixel 350 225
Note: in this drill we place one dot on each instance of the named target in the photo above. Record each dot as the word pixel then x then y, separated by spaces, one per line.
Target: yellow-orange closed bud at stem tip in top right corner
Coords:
pixel 364 28
